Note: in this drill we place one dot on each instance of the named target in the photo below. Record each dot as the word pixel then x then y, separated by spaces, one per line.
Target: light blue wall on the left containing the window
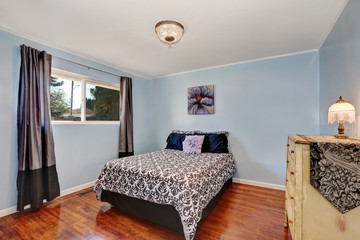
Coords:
pixel 81 150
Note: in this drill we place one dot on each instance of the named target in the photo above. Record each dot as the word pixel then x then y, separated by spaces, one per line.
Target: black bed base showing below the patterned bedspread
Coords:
pixel 165 215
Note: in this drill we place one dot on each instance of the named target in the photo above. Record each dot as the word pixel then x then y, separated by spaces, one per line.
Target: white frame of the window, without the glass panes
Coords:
pixel 84 80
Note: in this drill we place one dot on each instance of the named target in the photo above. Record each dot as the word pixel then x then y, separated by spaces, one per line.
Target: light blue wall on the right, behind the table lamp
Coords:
pixel 340 67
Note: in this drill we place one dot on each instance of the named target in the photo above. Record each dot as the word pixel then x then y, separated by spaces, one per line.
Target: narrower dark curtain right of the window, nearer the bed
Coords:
pixel 126 145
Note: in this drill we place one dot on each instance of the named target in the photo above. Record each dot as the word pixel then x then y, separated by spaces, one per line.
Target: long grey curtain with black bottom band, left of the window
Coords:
pixel 37 177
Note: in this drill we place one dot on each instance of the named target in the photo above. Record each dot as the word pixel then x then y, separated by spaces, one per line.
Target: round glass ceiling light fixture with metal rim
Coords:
pixel 169 32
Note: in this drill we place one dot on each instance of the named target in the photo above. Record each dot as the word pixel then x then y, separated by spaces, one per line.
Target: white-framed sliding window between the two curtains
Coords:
pixel 76 98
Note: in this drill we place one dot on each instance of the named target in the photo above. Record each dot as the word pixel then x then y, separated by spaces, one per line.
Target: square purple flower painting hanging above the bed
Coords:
pixel 201 100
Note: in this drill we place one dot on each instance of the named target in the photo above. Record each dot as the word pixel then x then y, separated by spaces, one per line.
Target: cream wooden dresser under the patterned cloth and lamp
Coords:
pixel 308 214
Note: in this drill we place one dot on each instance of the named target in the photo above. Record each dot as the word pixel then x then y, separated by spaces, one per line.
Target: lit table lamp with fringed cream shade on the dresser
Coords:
pixel 341 112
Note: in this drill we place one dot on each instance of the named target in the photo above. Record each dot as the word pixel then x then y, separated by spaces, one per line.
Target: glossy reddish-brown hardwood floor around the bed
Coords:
pixel 243 213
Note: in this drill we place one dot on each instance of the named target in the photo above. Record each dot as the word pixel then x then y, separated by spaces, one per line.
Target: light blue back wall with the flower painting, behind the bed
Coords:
pixel 259 103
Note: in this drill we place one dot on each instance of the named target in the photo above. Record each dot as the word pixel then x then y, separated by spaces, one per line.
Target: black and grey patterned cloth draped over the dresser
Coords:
pixel 335 170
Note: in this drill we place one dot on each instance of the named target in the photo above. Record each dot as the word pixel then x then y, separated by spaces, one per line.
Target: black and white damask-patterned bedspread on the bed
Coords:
pixel 186 181
